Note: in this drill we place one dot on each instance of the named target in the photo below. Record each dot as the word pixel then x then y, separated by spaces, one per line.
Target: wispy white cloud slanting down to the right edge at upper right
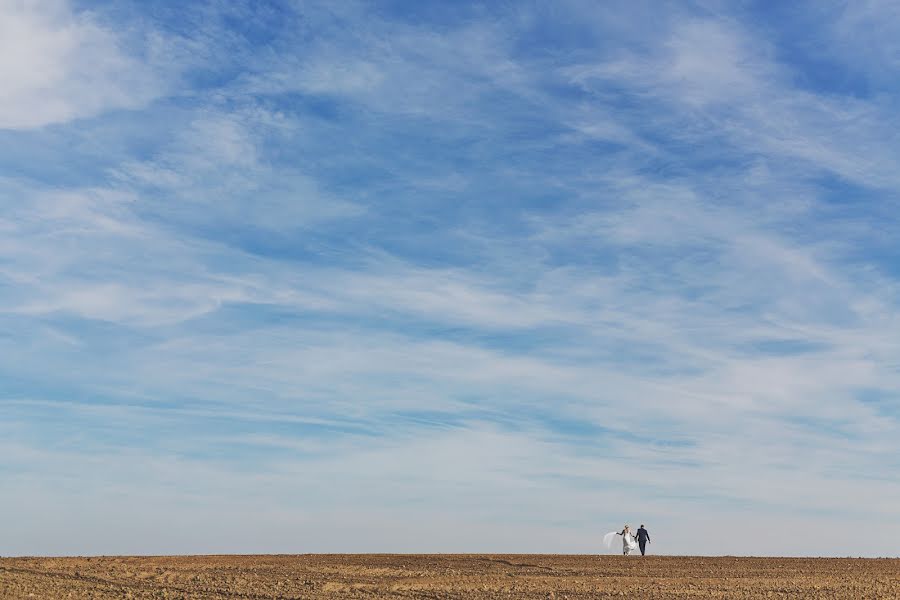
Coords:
pixel 727 87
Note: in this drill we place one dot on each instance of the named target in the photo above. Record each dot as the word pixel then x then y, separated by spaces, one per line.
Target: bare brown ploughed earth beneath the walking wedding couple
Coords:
pixel 446 576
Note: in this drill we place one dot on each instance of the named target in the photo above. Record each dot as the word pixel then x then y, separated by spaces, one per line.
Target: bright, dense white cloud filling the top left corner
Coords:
pixel 59 64
